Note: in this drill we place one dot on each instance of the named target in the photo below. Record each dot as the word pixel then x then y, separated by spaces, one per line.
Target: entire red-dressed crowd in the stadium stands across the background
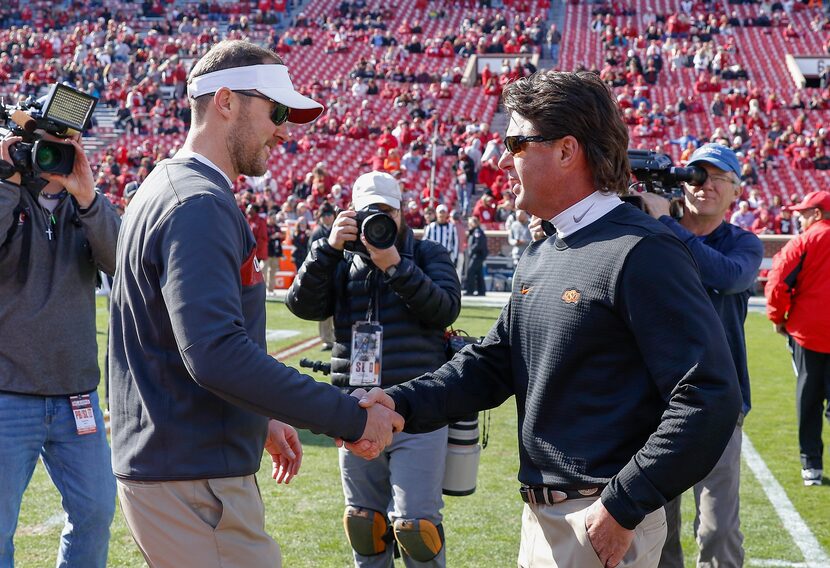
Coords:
pixel 135 58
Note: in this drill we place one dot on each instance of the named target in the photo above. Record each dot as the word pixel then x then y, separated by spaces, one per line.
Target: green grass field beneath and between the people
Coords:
pixel 482 529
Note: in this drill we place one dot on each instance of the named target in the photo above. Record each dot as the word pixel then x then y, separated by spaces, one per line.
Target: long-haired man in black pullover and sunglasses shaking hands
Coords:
pixel 625 389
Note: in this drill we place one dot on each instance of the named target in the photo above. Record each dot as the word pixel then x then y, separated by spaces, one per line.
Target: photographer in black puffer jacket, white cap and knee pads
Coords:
pixel 412 292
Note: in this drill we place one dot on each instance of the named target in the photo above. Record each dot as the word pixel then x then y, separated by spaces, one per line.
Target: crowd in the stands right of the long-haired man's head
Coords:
pixel 773 127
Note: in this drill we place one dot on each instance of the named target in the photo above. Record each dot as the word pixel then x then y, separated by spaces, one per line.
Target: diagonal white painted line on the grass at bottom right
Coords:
pixel 812 551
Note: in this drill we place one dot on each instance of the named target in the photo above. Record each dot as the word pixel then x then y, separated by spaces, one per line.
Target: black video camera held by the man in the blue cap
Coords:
pixel 657 174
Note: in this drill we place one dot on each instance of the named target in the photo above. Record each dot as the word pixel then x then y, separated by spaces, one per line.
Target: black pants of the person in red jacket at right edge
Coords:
pixel 811 395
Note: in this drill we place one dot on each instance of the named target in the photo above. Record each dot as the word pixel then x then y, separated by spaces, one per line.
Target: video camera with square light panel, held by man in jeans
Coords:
pixel 64 112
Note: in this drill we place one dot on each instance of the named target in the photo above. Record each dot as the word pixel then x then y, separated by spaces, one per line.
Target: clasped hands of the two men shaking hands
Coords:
pixel 381 423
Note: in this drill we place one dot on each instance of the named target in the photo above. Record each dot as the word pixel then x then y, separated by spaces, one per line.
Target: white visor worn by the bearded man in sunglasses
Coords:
pixel 271 80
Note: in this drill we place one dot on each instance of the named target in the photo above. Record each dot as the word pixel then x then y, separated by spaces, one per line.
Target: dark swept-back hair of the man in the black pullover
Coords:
pixel 578 104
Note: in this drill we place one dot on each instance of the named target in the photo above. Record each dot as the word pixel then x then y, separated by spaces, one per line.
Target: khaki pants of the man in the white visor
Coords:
pixel 209 523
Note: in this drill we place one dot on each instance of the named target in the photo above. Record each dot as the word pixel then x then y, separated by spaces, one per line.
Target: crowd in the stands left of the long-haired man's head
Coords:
pixel 136 57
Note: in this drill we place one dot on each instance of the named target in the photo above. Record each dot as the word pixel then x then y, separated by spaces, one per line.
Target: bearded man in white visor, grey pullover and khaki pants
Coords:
pixel 195 397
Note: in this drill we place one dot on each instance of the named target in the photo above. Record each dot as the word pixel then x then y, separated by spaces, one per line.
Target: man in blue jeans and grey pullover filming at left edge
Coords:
pixel 53 241
